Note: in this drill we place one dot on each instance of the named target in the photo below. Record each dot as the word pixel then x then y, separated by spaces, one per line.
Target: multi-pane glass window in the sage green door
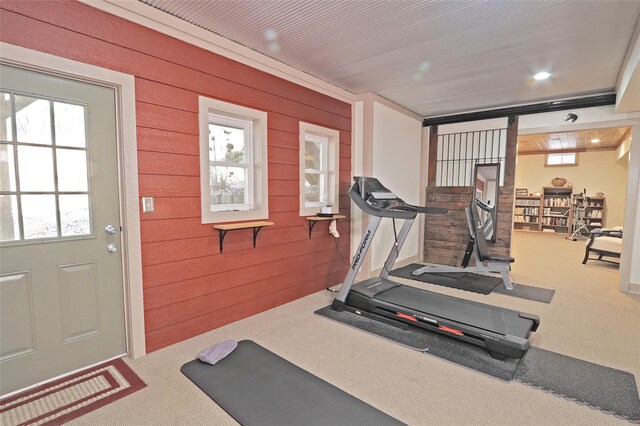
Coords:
pixel 44 185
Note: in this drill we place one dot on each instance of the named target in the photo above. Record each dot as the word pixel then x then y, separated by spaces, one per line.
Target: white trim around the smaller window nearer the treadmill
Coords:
pixel 333 166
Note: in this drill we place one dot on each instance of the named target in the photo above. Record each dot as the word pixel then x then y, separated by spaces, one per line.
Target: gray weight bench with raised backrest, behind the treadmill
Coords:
pixel 477 245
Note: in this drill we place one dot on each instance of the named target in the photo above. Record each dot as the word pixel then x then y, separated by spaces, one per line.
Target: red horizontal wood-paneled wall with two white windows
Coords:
pixel 190 288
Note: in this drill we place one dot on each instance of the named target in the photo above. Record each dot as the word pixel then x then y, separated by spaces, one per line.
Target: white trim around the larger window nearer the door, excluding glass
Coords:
pixel 258 170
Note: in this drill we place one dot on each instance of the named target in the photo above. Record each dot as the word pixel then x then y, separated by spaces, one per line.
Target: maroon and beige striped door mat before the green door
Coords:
pixel 65 399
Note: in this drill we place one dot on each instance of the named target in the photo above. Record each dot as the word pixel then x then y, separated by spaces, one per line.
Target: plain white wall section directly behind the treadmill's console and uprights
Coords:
pixel 396 149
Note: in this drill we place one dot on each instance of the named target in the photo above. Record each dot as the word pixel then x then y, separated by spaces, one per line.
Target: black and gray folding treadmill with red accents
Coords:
pixel 503 332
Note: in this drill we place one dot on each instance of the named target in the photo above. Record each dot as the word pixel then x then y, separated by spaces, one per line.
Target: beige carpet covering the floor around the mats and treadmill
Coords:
pixel 588 319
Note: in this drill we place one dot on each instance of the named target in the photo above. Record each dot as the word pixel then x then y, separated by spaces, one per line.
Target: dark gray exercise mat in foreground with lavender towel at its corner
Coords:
pixel 257 387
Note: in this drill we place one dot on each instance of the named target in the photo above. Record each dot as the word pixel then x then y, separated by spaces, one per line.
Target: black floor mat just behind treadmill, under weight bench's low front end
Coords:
pixel 475 283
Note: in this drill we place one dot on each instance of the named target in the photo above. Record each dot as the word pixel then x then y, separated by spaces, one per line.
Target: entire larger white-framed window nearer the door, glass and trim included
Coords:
pixel 233 162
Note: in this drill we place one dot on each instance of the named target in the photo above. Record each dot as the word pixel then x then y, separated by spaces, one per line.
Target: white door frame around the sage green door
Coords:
pixel 124 86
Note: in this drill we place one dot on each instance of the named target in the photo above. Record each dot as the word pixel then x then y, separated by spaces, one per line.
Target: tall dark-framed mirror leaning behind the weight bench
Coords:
pixel 486 185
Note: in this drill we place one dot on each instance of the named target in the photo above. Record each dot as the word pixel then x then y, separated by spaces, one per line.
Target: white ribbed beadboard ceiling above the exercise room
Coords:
pixel 433 57
